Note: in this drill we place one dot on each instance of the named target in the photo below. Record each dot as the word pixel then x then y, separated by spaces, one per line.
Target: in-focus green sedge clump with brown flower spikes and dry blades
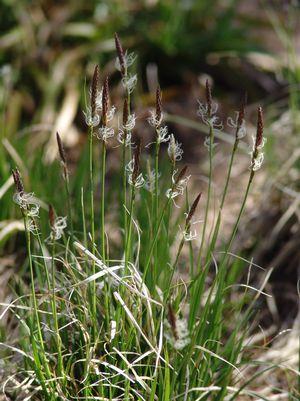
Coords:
pixel 131 321
